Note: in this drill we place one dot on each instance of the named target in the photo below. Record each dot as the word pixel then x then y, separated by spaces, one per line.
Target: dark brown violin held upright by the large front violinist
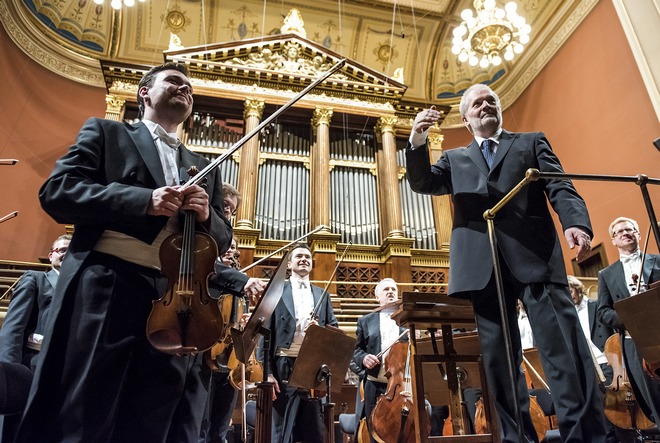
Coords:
pixel 186 318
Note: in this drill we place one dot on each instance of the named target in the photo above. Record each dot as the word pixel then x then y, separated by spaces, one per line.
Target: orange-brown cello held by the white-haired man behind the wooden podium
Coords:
pixel 391 416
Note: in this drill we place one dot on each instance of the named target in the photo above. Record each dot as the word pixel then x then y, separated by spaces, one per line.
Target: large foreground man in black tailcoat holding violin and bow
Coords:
pixel 99 379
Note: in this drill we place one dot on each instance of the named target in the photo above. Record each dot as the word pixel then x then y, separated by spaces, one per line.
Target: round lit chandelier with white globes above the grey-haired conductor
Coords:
pixel 489 34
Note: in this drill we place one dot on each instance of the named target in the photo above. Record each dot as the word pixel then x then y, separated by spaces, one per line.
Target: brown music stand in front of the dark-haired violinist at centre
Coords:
pixel 315 366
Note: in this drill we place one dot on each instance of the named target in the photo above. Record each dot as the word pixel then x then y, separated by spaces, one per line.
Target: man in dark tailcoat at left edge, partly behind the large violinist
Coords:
pixel 24 325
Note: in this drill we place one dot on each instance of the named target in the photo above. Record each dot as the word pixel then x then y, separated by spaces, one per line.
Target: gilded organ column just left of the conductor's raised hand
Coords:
pixel 388 177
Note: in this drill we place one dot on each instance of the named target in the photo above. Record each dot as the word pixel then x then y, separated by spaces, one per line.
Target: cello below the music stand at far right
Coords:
pixel 621 408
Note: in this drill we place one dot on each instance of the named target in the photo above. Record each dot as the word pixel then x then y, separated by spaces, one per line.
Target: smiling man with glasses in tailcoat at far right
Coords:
pixel 622 279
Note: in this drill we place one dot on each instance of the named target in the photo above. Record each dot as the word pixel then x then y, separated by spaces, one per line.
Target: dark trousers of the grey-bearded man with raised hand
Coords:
pixel 564 355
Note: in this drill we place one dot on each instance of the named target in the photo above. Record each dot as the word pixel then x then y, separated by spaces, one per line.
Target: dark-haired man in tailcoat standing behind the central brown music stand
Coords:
pixel 296 416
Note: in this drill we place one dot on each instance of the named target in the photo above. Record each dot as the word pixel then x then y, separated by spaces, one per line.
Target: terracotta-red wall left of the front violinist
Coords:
pixel 40 116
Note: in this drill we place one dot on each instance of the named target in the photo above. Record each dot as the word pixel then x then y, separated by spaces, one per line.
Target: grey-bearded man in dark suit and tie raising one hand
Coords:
pixel 477 177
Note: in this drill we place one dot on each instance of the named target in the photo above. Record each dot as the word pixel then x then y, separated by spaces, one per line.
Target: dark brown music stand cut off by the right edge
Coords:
pixel 639 315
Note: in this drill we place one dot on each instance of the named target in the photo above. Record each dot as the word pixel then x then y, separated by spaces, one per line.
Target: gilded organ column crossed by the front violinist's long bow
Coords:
pixel 249 165
